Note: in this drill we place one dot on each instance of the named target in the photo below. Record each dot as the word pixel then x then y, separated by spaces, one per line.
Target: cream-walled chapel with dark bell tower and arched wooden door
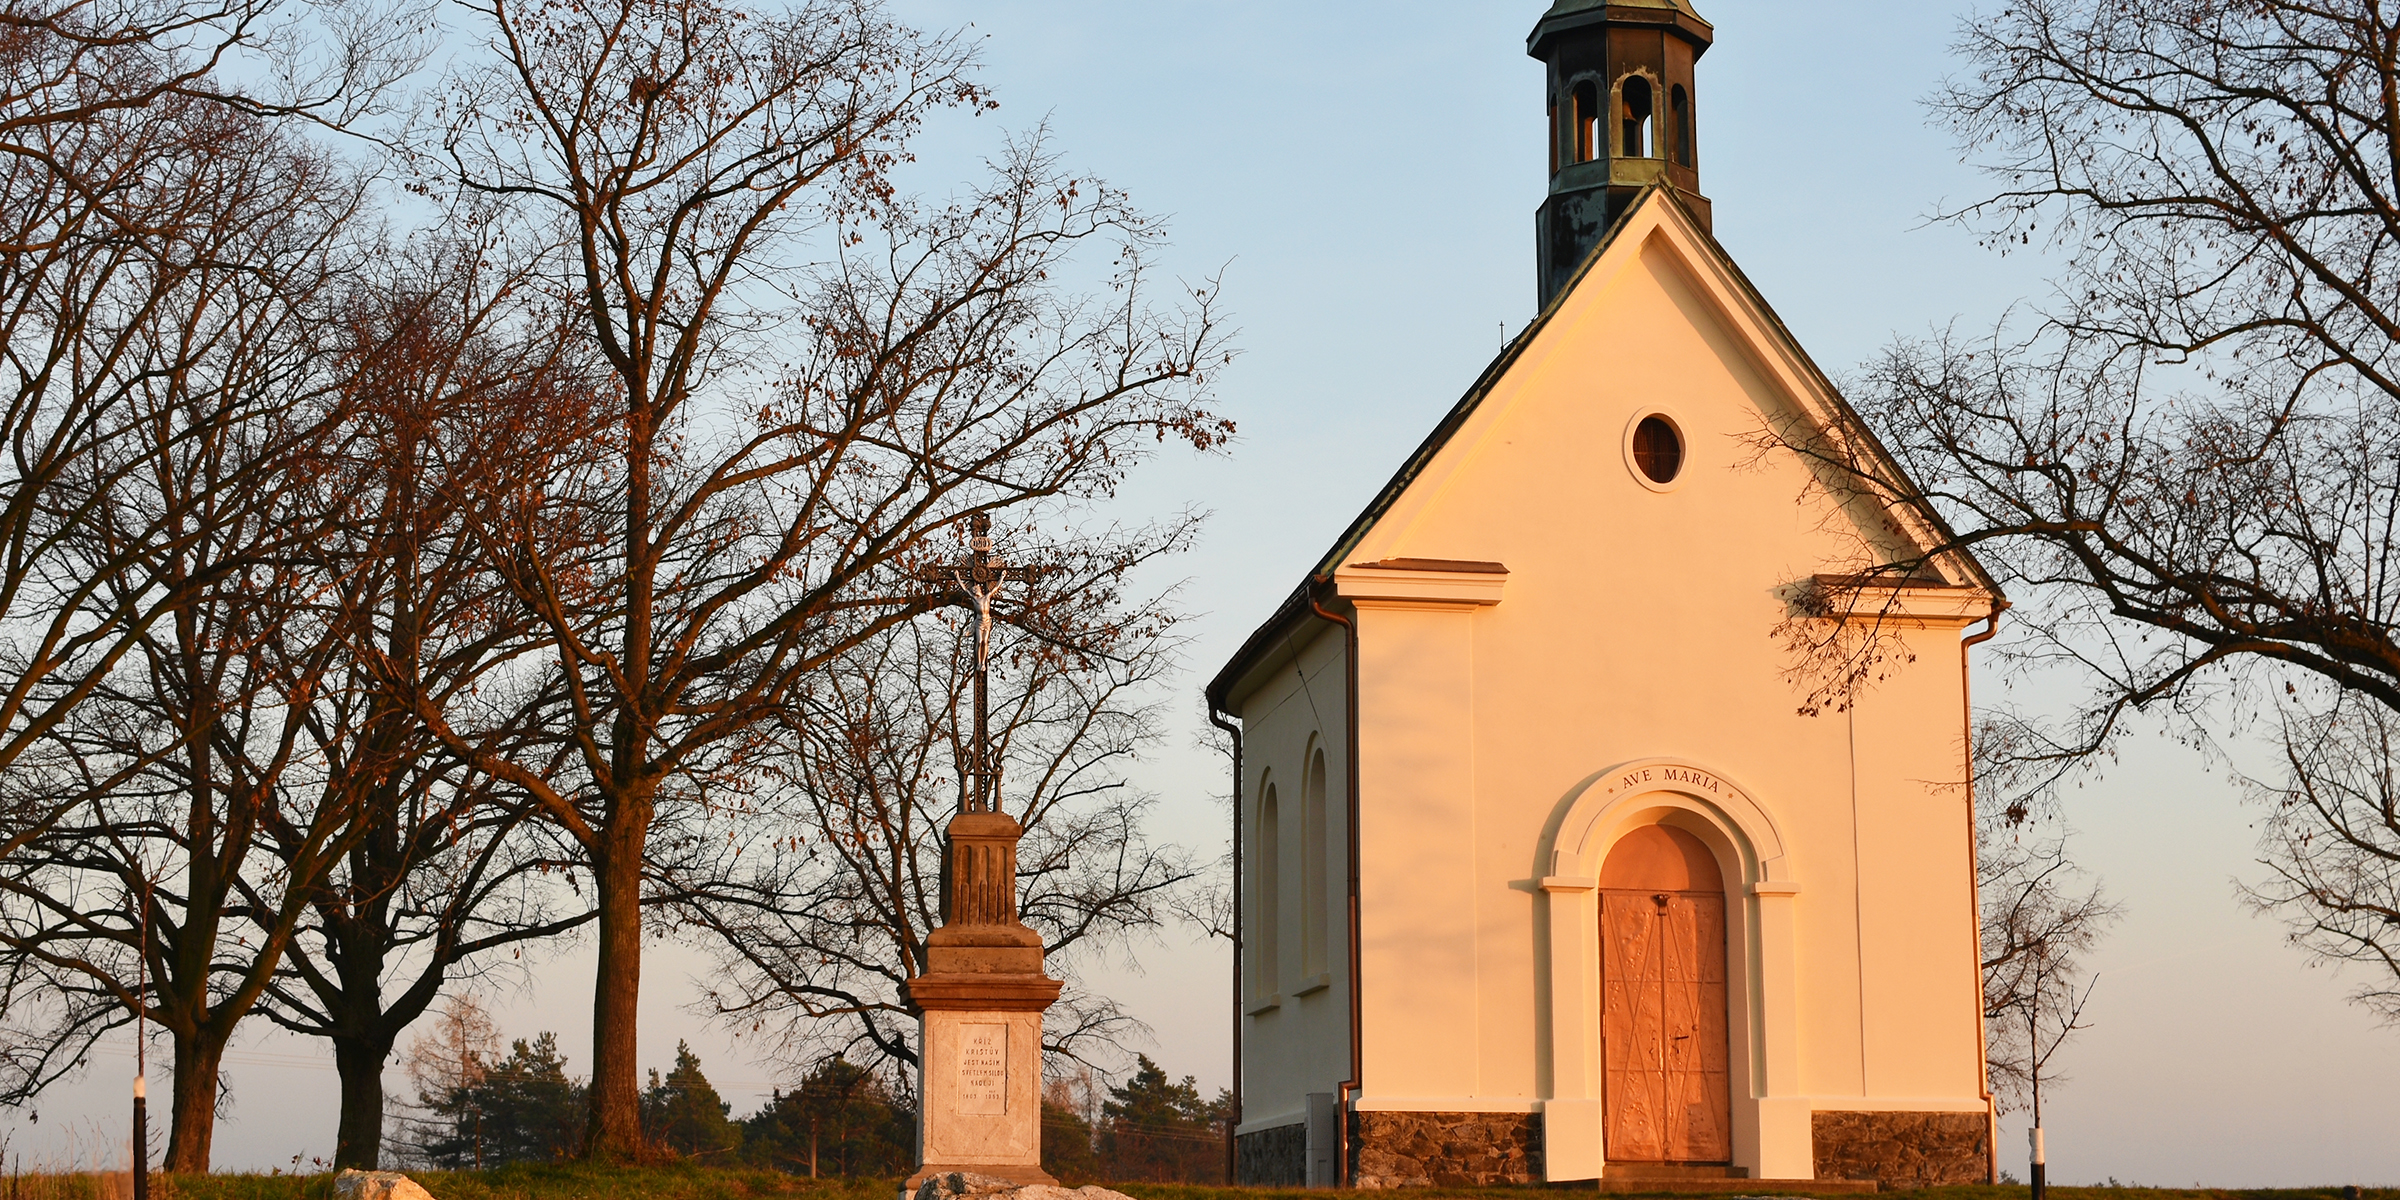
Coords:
pixel 1549 870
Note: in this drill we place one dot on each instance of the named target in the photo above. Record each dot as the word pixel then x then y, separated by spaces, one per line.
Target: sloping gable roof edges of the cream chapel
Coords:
pixel 1662 198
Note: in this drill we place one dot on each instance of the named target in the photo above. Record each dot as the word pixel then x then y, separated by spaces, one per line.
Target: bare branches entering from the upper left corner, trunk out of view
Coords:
pixel 109 109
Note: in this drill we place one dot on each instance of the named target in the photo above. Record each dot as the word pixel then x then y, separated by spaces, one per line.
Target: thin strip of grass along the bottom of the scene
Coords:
pixel 685 1182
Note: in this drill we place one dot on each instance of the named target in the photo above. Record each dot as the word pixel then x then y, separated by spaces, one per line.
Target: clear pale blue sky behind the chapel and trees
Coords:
pixel 1367 174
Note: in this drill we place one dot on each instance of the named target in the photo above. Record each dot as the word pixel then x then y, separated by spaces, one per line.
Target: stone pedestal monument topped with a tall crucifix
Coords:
pixel 983 992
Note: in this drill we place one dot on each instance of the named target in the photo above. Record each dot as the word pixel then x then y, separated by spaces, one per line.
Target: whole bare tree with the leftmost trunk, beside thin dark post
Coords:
pixel 169 772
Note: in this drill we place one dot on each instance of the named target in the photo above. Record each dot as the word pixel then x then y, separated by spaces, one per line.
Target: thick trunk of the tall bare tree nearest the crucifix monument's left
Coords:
pixel 613 1132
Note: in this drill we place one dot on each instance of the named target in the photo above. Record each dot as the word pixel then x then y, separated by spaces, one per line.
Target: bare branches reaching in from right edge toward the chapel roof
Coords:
pixel 2185 467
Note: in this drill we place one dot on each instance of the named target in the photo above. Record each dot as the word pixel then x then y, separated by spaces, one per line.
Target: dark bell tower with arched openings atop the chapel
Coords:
pixel 1621 119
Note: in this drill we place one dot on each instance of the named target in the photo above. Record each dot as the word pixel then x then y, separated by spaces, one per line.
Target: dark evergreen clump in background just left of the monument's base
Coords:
pixel 841 1122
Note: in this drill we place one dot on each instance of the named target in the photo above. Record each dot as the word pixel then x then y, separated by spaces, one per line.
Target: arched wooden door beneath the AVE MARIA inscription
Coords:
pixel 1664 1050
